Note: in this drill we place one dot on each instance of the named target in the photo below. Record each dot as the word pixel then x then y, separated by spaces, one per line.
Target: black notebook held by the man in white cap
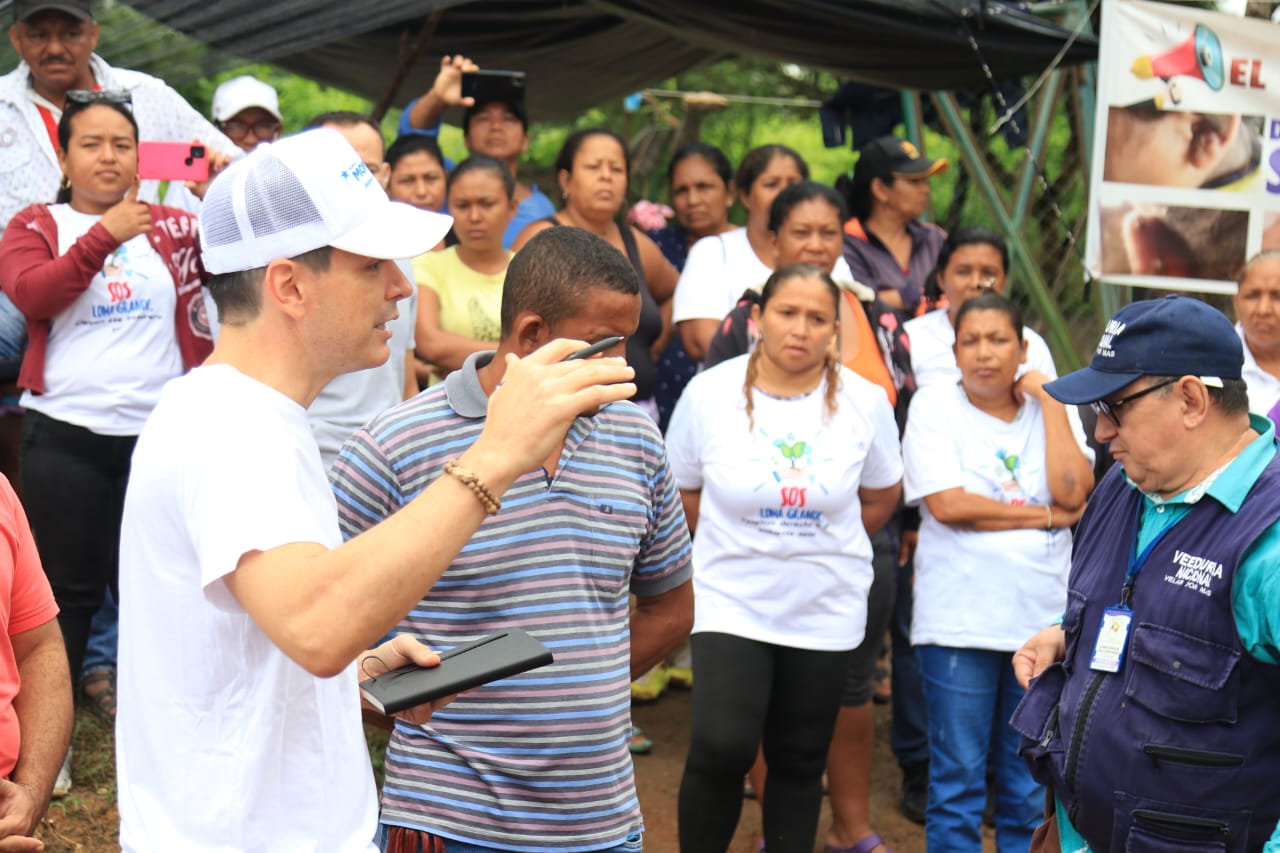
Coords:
pixel 465 667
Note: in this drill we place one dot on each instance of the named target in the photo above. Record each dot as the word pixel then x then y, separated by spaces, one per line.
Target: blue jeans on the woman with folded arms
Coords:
pixel 967 690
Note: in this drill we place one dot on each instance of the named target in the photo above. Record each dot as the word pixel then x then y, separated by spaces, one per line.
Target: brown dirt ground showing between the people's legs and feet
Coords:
pixel 86 822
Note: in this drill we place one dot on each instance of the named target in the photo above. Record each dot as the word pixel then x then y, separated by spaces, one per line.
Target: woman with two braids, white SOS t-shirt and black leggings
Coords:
pixel 787 460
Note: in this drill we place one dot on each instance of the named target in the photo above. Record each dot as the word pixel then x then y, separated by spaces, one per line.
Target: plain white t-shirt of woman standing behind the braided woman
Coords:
pixel 717 272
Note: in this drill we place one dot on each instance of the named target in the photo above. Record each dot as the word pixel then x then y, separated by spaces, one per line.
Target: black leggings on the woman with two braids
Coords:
pixel 746 694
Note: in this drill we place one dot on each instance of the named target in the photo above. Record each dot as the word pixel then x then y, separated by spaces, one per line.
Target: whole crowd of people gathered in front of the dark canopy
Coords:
pixel 316 418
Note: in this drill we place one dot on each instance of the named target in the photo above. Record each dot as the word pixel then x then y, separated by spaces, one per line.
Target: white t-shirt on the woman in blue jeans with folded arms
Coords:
pixel 982 590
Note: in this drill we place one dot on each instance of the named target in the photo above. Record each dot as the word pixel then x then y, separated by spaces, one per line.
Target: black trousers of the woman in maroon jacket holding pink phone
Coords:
pixel 74 491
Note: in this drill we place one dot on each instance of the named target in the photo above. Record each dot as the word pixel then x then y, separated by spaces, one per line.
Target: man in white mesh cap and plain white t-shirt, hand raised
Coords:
pixel 245 622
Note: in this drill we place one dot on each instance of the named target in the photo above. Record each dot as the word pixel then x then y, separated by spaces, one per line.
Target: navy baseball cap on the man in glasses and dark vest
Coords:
pixel 1177 336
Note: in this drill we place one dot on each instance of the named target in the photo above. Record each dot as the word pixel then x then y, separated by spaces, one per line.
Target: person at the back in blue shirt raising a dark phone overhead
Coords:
pixel 495 125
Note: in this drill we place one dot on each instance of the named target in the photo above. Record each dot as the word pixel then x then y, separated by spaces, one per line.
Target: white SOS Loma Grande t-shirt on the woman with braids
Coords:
pixel 781 555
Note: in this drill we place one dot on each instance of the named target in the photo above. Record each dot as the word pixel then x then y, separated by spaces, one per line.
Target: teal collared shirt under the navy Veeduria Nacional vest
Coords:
pixel 1256 594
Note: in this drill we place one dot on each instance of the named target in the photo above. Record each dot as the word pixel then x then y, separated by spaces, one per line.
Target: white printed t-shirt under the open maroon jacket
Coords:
pixel 113 349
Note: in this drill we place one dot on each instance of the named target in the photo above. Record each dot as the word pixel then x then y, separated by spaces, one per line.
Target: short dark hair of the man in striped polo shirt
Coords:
pixel 555 273
